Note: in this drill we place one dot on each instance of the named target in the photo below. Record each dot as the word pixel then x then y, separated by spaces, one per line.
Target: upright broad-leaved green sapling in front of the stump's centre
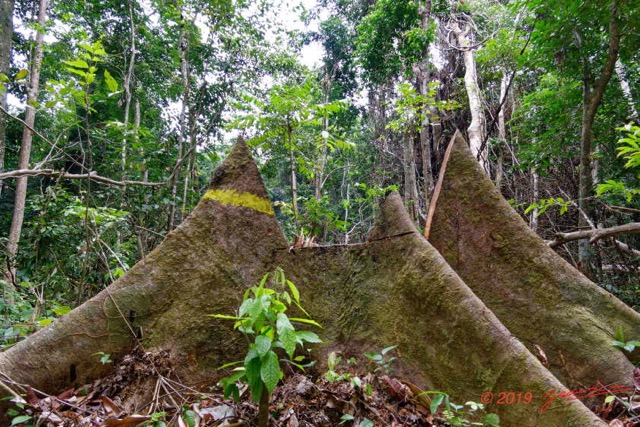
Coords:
pixel 262 316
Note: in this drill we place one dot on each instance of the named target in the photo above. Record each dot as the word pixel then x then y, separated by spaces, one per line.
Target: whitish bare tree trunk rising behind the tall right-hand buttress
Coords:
pixel 476 129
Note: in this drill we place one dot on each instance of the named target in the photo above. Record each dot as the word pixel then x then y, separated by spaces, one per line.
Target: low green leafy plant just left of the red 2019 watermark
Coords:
pixel 460 415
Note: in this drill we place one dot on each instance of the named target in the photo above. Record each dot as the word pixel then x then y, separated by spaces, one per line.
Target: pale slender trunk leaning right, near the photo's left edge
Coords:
pixel 27 138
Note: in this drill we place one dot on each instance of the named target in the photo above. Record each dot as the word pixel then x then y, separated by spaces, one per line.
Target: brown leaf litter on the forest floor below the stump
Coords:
pixel 140 391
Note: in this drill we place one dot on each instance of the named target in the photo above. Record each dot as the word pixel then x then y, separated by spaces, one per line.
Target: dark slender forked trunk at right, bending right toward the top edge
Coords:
pixel 591 102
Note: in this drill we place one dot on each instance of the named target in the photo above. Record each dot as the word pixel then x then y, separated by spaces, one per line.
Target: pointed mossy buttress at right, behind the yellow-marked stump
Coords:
pixel 537 295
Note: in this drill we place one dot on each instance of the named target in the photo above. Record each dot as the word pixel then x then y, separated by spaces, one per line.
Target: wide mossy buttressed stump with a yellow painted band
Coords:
pixel 394 289
